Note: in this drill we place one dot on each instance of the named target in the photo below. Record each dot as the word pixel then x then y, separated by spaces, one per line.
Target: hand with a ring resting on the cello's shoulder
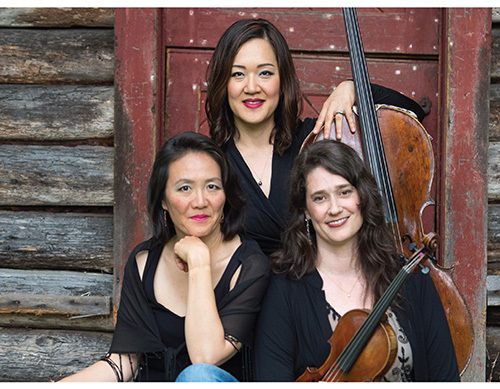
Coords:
pixel 338 104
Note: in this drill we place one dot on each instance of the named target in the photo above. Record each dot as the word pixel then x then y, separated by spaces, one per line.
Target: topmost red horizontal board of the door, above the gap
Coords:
pixel 409 31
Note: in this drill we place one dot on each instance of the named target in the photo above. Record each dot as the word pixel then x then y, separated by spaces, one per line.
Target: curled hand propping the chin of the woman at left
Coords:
pixel 190 253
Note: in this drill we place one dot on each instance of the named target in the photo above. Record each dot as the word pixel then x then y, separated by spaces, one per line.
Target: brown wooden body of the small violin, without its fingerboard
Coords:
pixel 373 363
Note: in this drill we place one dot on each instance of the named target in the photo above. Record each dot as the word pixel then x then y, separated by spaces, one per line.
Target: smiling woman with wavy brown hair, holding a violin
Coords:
pixel 337 256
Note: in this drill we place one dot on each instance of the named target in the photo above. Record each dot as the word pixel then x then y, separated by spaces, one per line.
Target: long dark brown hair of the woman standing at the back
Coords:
pixel 219 115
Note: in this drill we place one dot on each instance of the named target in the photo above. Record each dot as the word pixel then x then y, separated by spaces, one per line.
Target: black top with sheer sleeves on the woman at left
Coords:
pixel 156 335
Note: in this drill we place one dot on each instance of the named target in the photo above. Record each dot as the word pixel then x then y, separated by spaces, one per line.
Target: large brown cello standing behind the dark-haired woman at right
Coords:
pixel 398 151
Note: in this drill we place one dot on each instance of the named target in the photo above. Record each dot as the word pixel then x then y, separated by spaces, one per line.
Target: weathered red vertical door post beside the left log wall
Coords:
pixel 135 128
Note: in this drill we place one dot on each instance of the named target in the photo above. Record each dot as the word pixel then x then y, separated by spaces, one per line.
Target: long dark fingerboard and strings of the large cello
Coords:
pixel 370 132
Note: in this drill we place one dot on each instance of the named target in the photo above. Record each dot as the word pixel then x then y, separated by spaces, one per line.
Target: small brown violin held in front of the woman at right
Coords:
pixel 363 345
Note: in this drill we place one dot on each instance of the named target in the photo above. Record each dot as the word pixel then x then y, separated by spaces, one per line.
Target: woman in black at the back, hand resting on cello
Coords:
pixel 253 107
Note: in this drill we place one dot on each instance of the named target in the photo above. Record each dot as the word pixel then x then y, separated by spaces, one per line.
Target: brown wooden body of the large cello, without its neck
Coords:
pixel 410 161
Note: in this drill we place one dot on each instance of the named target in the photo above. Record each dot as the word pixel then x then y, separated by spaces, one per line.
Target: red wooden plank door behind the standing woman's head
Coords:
pixel 401 54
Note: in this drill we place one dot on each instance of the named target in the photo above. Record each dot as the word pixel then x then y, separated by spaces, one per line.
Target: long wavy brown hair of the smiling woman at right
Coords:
pixel 379 260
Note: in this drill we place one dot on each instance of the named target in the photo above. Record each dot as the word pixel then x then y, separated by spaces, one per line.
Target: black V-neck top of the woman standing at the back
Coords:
pixel 266 218
